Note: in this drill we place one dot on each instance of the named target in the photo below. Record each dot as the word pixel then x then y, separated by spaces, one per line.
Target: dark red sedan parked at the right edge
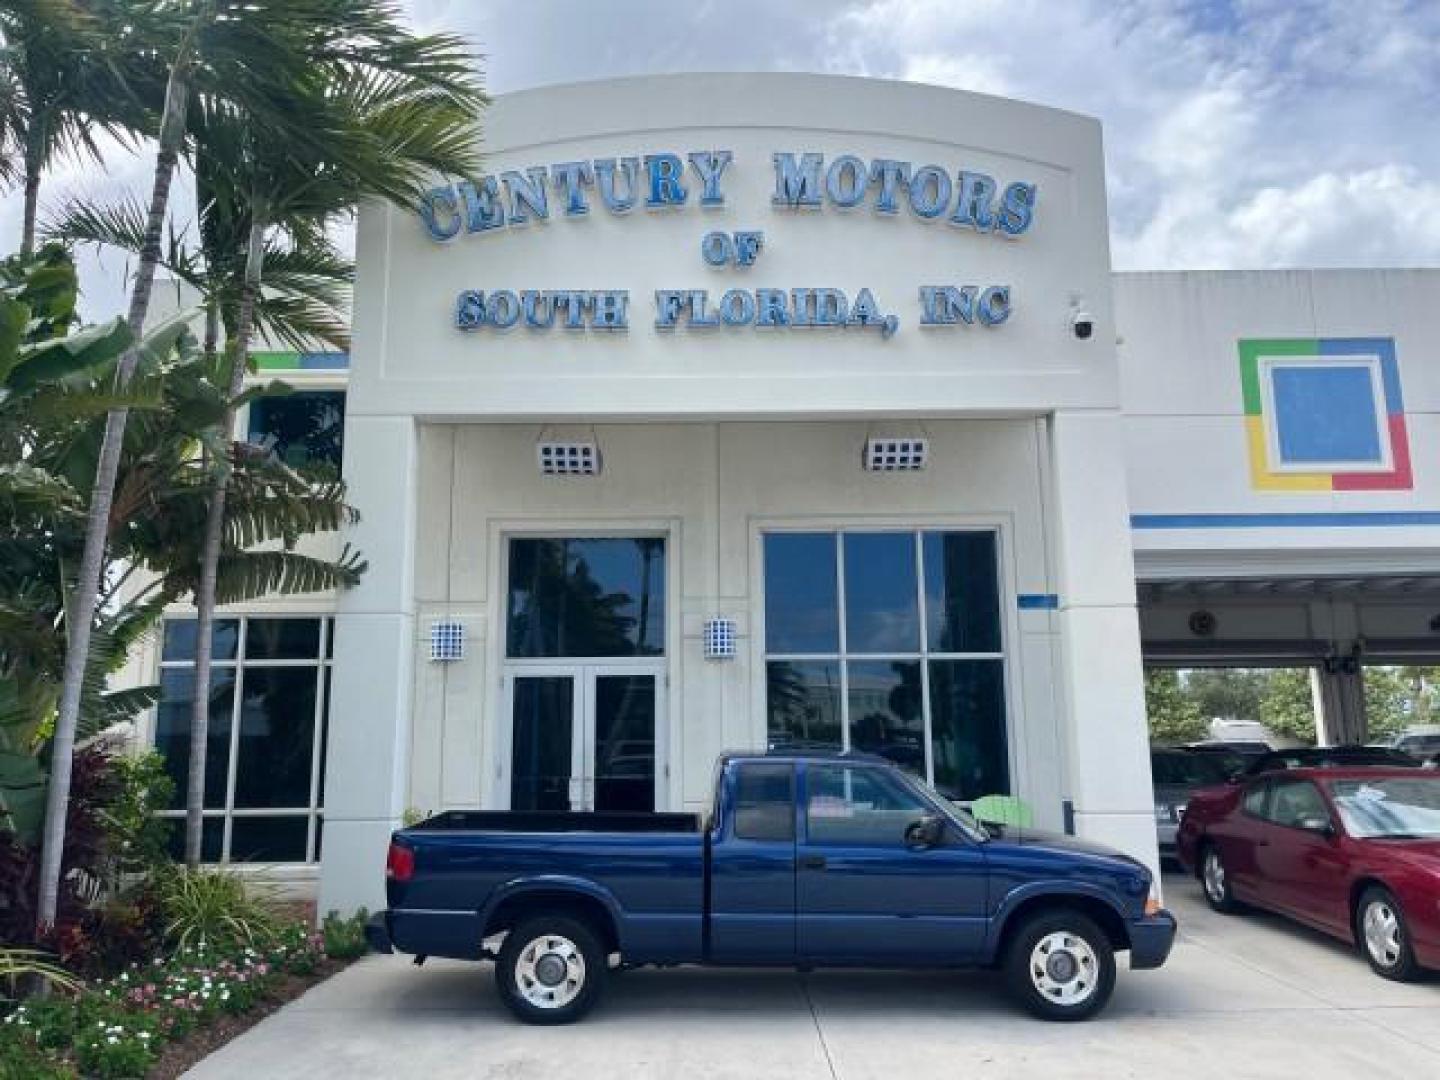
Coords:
pixel 1354 853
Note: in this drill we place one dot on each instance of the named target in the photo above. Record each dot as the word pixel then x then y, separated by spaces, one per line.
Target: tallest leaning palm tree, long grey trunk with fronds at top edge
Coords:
pixel 250 53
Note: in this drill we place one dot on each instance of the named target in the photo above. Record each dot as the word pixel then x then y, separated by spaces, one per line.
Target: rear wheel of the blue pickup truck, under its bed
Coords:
pixel 552 970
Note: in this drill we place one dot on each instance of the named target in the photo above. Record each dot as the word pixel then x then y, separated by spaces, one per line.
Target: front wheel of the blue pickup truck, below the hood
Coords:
pixel 1061 966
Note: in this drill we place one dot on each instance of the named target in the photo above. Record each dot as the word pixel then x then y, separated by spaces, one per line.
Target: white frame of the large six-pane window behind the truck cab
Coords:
pixel 917 529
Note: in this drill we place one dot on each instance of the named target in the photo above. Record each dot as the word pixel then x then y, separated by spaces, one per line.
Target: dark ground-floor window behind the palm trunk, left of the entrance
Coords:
pixel 270 699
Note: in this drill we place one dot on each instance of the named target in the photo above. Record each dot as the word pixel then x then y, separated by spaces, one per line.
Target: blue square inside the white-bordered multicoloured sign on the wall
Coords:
pixel 1327 415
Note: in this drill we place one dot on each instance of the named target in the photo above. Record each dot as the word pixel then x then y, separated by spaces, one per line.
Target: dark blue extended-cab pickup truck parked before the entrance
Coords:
pixel 809 859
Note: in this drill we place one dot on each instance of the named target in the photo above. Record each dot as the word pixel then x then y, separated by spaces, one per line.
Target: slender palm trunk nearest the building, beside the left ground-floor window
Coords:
pixel 214 539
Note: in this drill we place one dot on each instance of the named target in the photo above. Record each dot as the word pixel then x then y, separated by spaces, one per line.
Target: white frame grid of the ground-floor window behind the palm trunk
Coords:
pixel 322 665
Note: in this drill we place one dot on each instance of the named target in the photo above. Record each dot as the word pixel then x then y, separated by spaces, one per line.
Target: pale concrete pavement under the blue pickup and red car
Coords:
pixel 1242 997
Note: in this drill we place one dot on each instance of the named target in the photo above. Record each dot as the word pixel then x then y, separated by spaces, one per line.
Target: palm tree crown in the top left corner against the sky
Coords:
pixel 70 71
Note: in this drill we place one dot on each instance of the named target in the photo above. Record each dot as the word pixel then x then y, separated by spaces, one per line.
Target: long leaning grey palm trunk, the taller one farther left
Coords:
pixel 80 614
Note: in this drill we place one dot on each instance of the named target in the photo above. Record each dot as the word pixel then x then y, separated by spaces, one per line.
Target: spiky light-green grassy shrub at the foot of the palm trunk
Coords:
pixel 212 908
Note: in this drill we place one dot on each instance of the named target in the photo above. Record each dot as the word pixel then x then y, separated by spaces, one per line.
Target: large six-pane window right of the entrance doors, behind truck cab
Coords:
pixel 891 643
